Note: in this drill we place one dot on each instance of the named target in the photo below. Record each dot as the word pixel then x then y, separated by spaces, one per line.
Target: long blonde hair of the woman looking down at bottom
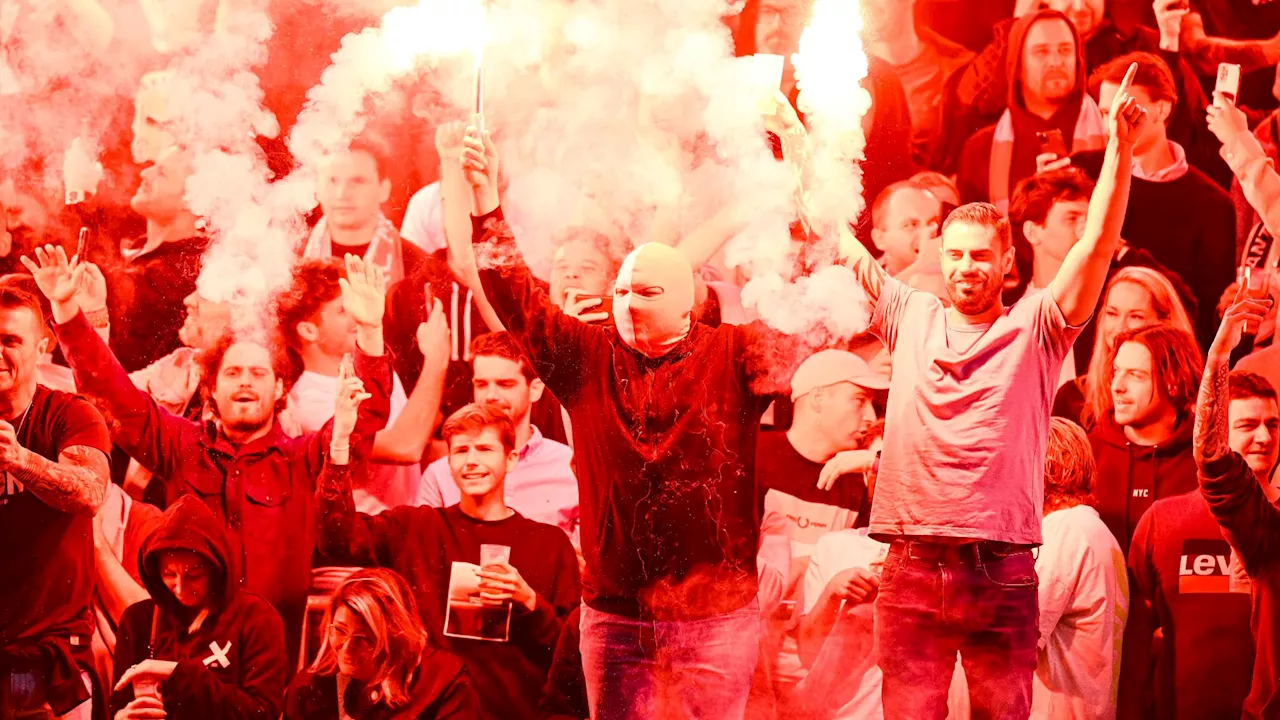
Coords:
pixel 385 603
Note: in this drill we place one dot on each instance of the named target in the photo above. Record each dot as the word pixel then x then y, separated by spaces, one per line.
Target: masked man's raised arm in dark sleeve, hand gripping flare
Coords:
pixel 555 343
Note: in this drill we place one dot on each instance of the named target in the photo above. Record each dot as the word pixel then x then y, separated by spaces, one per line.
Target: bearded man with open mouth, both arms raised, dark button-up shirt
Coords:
pixel 254 477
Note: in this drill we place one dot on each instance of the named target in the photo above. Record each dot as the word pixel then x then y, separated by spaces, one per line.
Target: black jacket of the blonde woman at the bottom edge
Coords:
pixel 442 691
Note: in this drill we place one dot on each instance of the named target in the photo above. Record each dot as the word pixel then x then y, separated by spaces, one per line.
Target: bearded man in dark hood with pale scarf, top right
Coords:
pixel 1046 95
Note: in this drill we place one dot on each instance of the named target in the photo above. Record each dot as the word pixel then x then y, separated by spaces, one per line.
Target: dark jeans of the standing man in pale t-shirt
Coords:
pixel 977 600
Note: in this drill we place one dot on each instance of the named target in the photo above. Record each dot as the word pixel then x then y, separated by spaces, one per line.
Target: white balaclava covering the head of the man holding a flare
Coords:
pixel 653 299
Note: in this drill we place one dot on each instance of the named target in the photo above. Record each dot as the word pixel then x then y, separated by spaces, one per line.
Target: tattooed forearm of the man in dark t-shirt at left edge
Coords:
pixel 76 484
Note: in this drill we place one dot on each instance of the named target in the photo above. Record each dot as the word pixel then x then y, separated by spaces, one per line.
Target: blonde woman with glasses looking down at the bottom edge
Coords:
pixel 374 662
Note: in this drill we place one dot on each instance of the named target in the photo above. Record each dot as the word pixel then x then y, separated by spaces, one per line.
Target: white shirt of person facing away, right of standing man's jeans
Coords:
pixel 1084 605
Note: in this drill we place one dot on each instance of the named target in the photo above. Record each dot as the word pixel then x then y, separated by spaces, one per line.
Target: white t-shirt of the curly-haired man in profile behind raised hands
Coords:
pixel 385 486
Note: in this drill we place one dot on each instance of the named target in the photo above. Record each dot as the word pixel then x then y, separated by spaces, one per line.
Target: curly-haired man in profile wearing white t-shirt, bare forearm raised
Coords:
pixel 319 334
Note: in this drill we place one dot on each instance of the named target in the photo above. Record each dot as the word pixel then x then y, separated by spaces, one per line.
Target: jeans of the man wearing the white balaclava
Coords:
pixel 691 669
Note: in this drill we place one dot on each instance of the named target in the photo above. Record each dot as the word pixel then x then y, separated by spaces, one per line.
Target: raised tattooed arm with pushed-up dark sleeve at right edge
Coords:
pixel 1235 495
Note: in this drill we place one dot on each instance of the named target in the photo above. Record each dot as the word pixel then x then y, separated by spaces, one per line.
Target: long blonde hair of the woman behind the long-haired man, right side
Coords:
pixel 1169 312
